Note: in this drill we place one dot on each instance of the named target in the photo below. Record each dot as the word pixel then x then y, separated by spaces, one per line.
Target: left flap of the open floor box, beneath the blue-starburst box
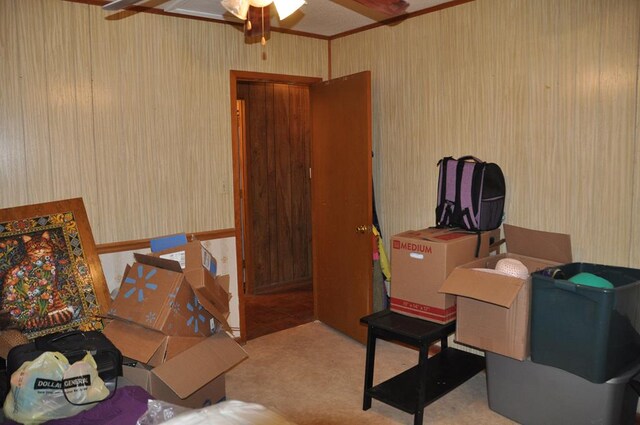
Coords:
pixel 134 341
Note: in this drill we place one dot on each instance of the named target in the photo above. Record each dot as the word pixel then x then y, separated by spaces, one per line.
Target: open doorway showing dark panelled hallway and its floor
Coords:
pixel 273 204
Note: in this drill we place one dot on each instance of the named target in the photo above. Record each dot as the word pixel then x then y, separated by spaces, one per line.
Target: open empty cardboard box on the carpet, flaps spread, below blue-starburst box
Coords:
pixel 191 370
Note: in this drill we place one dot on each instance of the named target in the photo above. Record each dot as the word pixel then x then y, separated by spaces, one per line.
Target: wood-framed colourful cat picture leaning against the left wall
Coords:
pixel 50 273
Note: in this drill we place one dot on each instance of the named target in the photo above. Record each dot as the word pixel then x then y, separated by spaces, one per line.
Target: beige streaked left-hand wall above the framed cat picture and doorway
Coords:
pixel 132 114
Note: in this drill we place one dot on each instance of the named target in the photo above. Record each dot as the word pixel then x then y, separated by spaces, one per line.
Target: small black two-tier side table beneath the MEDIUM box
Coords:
pixel 412 390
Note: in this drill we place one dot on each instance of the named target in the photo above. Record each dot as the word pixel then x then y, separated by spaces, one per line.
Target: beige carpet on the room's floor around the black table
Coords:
pixel 314 375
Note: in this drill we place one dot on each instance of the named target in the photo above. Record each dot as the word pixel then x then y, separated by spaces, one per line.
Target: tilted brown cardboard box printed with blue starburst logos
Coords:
pixel 156 294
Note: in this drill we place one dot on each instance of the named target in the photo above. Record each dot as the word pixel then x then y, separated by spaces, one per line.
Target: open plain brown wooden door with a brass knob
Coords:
pixel 341 192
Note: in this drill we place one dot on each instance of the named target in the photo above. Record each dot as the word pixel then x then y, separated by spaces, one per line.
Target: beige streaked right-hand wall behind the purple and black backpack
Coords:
pixel 545 88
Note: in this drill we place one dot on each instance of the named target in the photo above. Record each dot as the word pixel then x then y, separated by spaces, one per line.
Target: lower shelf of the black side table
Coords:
pixel 445 371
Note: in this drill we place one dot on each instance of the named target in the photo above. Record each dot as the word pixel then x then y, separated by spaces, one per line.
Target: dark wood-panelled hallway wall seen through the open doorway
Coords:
pixel 275 154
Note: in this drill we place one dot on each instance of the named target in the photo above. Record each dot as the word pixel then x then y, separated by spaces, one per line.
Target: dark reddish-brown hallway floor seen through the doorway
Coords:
pixel 265 314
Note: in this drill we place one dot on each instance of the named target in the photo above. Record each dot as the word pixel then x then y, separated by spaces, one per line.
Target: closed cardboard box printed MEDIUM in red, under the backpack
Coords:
pixel 421 260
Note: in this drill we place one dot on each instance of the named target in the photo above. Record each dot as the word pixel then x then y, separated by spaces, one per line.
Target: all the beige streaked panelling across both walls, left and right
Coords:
pixel 548 89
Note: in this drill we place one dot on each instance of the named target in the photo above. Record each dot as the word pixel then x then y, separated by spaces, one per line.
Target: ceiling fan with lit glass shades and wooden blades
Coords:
pixel 256 13
